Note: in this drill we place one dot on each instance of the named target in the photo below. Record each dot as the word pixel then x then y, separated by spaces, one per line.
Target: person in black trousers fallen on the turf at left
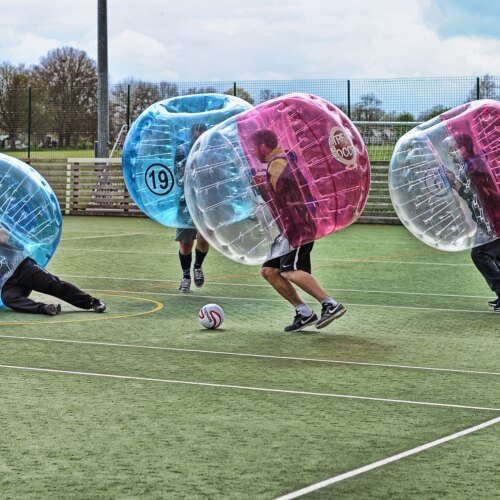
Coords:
pixel 21 275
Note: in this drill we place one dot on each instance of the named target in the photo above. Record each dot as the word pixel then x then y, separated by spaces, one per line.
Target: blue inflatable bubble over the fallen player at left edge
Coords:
pixel 30 217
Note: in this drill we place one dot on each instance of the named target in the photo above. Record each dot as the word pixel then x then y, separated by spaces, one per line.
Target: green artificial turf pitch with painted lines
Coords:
pixel 140 402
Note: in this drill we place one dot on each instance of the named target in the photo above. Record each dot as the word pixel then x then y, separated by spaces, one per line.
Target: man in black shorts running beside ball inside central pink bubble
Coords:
pixel 293 268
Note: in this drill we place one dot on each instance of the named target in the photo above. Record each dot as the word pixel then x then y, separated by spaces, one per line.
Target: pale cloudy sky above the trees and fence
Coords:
pixel 202 40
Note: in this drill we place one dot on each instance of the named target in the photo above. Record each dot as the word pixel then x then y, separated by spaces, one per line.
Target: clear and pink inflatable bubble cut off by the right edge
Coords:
pixel 444 177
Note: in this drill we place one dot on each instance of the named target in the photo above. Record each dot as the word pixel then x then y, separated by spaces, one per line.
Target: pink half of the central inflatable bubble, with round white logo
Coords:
pixel 331 175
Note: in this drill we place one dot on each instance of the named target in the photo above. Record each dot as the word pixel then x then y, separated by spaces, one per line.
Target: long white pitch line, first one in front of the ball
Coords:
pixel 250 355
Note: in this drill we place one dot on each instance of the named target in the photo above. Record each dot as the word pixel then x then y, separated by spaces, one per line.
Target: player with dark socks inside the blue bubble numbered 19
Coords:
pixel 186 237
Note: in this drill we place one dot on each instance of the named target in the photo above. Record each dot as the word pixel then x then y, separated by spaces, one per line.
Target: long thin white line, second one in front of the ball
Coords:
pixel 249 388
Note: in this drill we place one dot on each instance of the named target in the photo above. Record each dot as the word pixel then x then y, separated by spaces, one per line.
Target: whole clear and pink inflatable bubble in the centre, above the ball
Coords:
pixel 278 176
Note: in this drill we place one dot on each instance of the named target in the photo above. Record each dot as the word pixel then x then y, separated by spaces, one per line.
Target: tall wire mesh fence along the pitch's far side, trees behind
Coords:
pixel 45 129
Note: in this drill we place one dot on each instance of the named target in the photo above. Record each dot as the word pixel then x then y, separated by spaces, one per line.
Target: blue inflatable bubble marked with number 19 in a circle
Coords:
pixel 157 147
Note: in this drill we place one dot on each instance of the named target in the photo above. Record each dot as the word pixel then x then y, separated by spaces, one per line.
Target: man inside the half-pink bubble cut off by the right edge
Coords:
pixel 486 257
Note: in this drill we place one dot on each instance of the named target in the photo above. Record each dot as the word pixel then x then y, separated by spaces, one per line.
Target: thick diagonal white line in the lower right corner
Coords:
pixel 385 461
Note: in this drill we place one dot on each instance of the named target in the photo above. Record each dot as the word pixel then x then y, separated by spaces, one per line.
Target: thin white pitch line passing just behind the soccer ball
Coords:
pixel 255 299
